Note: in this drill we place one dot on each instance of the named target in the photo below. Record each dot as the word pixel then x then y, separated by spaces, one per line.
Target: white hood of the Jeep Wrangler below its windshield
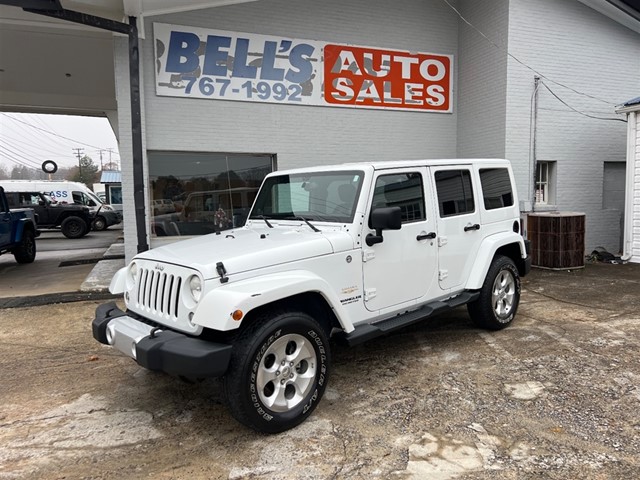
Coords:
pixel 246 249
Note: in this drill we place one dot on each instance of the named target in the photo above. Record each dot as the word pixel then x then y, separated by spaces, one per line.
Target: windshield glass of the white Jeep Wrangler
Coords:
pixel 321 196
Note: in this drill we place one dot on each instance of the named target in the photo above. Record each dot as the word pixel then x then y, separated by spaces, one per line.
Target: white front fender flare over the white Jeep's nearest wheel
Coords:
pixel 217 306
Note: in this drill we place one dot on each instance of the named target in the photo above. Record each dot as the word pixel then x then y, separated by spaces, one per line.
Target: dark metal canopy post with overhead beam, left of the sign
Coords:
pixel 131 30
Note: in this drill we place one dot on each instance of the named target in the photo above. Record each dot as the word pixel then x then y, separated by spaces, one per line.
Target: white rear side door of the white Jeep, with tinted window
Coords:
pixel 459 227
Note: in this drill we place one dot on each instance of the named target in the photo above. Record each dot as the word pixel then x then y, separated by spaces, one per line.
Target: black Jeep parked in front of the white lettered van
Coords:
pixel 74 220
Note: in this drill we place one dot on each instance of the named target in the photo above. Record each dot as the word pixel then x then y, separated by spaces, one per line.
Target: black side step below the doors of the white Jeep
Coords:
pixel 363 333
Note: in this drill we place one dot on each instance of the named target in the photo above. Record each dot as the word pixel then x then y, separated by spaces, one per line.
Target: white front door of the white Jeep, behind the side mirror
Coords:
pixel 403 267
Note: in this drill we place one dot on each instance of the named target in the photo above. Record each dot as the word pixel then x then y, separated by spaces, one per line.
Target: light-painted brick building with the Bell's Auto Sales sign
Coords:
pixel 535 82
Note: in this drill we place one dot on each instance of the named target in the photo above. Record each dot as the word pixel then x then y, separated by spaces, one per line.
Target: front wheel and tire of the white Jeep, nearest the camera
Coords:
pixel 278 371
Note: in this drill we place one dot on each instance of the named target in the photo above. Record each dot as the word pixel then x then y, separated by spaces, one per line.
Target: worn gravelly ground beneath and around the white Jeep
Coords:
pixel 556 395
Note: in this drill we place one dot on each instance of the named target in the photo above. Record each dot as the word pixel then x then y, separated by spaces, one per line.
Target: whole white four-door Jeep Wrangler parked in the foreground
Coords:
pixel 353 251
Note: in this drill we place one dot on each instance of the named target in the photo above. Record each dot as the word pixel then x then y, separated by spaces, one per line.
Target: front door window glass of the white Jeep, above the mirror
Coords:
pixel 402 190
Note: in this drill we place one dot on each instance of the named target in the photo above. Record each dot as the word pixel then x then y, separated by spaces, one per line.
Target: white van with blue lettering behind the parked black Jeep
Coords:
pixel 63 191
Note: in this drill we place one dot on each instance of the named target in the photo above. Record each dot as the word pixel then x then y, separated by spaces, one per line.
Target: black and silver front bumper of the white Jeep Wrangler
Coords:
pixel 159 350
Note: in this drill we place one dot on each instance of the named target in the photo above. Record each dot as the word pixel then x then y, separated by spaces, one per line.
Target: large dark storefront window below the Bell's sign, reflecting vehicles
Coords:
pixel 200 193
